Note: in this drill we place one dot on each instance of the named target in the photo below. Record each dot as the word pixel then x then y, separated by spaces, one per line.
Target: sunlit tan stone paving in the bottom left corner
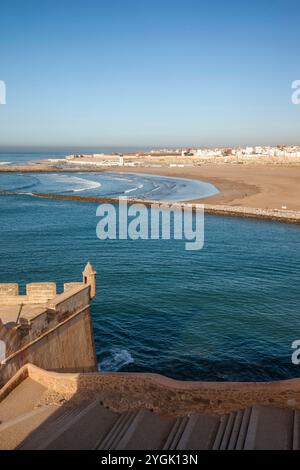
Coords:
pixel 14 432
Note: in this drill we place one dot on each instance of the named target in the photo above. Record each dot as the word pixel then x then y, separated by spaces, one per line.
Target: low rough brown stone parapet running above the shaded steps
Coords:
pixel 125 391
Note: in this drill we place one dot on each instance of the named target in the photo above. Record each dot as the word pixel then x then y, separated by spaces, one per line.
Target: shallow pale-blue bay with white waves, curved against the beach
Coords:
pixel 108 185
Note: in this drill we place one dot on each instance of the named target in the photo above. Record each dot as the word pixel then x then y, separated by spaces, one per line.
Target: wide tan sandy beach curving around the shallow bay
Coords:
pixel 257 186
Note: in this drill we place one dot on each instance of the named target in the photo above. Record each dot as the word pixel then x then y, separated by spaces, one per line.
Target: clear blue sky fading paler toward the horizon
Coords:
pixel 148 72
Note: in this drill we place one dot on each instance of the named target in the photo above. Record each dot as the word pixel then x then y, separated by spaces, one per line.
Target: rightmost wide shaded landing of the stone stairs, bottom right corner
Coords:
pixel 270 429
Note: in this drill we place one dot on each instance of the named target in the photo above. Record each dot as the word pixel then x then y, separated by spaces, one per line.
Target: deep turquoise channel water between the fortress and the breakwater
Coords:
pixel 227 312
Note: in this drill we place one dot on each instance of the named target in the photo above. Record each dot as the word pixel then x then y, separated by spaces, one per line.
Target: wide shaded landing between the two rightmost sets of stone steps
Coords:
pixel 199 433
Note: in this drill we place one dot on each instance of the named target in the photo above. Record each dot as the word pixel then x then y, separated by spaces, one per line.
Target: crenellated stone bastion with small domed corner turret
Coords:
pixel 51 330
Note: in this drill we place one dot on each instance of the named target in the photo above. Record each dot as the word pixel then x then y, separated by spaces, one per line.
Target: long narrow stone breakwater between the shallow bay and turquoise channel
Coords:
pixel 278 215
